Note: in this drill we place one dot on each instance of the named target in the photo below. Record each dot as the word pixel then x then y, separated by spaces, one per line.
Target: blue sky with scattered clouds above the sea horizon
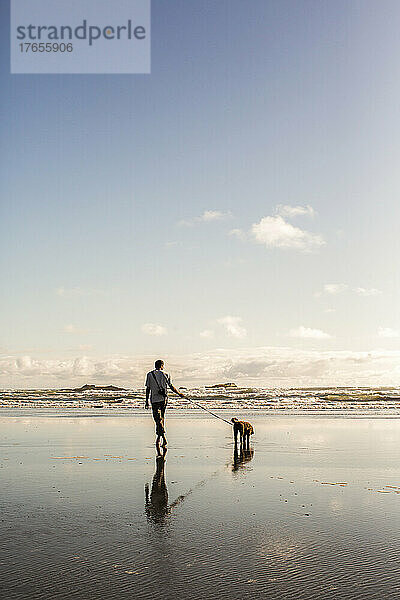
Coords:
pixel 235 212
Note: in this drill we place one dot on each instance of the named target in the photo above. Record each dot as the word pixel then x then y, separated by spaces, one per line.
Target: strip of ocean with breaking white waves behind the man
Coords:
pixel 333 399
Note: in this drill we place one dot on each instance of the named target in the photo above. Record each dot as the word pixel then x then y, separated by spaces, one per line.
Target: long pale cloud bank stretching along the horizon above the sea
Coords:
pixel 272 367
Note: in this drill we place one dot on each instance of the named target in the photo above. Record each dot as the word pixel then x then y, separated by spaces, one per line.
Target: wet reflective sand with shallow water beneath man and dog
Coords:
pixel 75 522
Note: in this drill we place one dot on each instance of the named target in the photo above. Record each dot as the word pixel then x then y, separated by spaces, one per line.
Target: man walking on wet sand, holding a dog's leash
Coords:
pixel 157 384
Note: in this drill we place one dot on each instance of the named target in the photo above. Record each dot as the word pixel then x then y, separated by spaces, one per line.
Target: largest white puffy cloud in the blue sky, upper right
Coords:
pixel 275 232
